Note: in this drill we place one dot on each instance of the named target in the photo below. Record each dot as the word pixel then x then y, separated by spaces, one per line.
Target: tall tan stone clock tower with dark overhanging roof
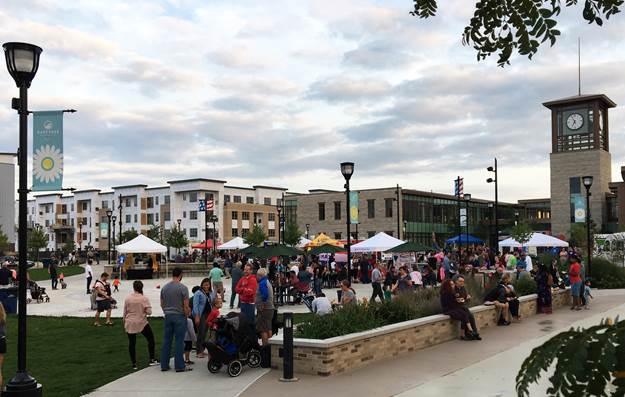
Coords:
pixel 580 146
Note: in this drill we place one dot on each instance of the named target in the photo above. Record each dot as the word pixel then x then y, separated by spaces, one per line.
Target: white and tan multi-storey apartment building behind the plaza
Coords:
pixel 82 216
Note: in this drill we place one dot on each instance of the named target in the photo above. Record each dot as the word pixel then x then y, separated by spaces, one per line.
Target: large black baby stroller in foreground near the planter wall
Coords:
pixel 235 345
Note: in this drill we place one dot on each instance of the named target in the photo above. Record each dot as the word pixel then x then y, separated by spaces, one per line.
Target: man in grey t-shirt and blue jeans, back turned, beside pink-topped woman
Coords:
pixel 175 305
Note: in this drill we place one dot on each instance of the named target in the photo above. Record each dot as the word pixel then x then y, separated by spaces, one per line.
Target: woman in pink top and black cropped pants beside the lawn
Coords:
pixel 137 308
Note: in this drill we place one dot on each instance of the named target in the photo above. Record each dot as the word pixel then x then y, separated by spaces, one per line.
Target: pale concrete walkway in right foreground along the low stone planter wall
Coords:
pixel 485 368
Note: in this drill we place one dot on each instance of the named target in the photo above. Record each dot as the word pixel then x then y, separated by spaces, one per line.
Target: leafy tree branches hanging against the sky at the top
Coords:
pixel 504 26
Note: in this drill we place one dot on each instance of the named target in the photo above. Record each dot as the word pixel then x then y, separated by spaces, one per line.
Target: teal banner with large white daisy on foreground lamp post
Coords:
pixel 47 151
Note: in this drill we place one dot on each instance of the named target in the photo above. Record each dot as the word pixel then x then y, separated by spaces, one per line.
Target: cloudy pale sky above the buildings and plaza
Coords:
pixel 280 92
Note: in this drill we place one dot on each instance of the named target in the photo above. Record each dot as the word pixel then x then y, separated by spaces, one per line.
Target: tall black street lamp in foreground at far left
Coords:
pixel 22 61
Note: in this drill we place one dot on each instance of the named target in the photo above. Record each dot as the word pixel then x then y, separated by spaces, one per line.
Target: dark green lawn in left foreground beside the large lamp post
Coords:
pixel 70 357
